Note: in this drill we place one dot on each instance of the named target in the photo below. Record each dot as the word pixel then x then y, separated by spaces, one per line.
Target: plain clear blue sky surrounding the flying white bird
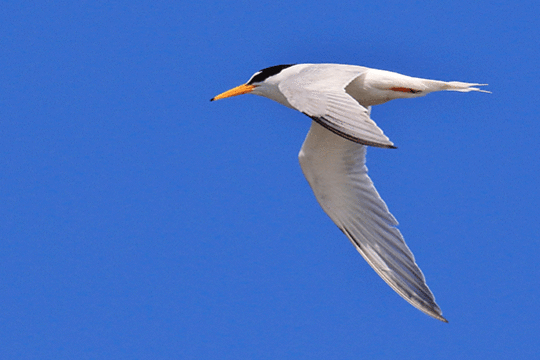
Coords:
pixel 140 221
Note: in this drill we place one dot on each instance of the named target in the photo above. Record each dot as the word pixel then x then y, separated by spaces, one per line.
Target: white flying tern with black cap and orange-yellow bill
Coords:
pixel 338 98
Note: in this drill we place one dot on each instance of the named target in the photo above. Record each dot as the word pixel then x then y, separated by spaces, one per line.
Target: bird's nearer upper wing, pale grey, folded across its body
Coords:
pixel 319 92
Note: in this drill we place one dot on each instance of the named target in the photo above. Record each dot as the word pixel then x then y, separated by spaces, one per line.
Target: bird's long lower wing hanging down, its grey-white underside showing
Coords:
pixel 335 169
